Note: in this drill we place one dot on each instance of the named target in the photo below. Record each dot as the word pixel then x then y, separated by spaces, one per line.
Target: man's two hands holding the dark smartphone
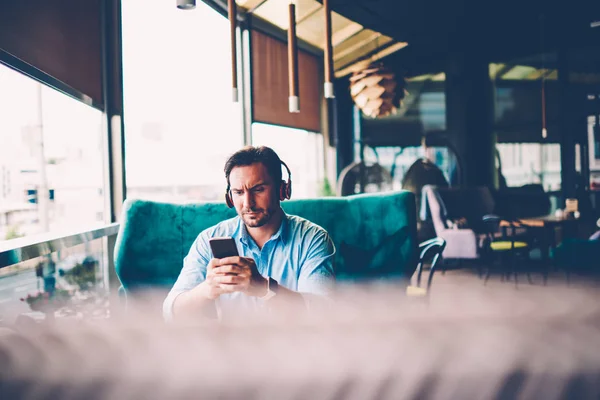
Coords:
pixel 235 274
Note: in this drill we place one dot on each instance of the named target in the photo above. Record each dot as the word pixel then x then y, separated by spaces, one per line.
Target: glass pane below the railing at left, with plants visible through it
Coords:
pixel 70 283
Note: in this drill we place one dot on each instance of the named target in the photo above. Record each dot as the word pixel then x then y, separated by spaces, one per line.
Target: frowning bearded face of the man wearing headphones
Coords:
pixel 254 194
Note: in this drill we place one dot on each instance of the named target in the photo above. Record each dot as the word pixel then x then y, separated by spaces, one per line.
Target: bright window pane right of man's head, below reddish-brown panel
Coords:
pixel 302 151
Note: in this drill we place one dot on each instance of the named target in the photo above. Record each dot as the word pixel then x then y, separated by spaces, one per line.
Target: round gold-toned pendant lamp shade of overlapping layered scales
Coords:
pixel 377 91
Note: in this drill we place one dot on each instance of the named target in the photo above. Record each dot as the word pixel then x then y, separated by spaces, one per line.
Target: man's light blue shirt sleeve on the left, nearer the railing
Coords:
pixel 192 274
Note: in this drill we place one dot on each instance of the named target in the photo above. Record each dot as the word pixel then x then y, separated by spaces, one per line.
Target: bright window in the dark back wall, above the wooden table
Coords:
pixel 526 163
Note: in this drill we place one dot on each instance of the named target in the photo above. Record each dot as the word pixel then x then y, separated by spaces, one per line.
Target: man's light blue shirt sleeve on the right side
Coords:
pixel 316 274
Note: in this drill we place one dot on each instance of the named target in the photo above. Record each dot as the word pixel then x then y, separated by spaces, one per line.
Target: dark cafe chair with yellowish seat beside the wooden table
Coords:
pixel 502 243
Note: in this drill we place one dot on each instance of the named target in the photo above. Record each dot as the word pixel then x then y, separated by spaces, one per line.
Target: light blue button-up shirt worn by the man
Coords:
pixel 299 256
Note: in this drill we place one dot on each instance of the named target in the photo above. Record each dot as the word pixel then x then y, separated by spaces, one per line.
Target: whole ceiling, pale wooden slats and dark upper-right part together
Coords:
pixel 420 35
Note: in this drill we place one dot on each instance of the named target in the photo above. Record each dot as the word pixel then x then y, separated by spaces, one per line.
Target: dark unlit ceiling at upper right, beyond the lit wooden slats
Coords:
pixel 502 31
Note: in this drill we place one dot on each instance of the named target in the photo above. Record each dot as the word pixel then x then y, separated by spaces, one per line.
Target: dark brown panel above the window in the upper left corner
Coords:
pixel 62 38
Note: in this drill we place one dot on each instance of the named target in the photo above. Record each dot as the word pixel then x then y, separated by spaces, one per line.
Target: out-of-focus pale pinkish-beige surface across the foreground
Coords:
pixel 467 341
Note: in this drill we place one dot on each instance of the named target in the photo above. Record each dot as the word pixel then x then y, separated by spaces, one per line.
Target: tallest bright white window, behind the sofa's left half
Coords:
pixel 180 121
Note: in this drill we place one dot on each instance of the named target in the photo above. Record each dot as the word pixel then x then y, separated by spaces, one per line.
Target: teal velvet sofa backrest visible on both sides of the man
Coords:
pixel 374 234
